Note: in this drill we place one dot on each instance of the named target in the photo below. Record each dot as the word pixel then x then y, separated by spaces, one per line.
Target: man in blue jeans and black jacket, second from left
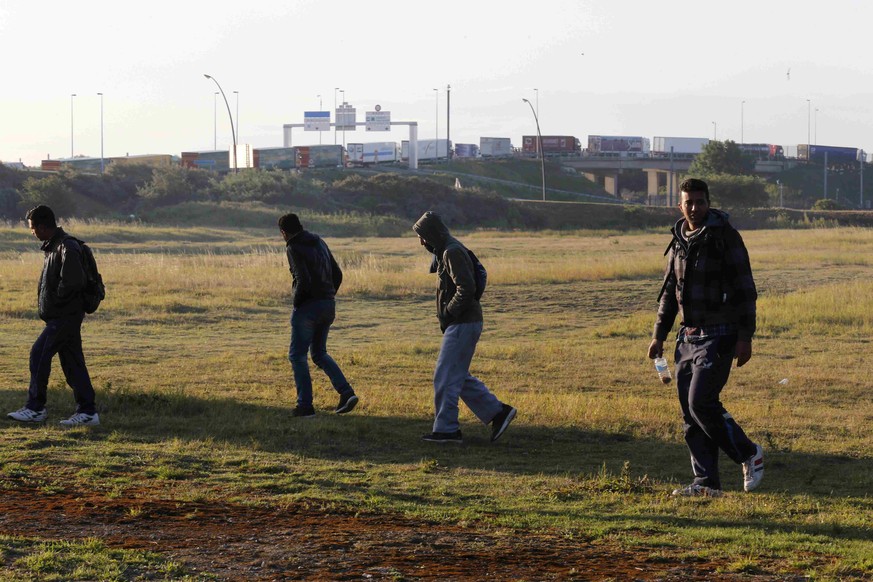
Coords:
pixel 316 279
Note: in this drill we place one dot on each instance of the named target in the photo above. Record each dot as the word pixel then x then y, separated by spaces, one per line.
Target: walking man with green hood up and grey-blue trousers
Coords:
pixel 460 317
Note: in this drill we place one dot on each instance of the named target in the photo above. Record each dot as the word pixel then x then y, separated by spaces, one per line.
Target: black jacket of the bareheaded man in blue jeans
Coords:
pixel 315 273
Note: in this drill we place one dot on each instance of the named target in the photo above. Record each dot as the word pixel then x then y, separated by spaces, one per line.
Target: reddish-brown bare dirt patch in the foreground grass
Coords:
pixel 237 542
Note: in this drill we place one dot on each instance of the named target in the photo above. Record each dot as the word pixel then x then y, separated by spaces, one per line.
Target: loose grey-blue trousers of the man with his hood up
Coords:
pixel 452 379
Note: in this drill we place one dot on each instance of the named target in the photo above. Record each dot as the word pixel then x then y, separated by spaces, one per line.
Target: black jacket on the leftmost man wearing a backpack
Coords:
pixel 63 278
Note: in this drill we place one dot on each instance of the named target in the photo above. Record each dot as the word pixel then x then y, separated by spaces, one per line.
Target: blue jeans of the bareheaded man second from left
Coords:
pixel 309 326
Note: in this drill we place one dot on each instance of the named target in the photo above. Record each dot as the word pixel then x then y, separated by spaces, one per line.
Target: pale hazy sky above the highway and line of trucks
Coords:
pixel 668 68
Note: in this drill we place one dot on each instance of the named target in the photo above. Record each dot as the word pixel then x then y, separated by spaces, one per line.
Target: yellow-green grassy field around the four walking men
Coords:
pixel 188 356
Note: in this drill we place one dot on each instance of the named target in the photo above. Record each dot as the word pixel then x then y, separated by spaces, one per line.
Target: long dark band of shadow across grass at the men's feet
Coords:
pixel 524 448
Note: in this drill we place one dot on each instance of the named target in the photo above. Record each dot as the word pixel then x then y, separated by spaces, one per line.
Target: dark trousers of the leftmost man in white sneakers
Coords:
pixel 62 336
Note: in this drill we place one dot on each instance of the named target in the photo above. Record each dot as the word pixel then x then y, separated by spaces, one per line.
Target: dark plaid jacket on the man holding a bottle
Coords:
pixel 708 280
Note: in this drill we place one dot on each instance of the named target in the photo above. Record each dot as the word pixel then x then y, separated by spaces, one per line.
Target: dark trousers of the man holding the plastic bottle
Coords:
pixel 702 370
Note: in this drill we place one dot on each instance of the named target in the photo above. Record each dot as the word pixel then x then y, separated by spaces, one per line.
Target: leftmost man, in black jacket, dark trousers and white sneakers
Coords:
pixel 59 298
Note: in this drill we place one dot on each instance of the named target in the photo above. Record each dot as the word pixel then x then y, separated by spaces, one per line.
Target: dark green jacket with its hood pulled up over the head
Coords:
pixel 456 289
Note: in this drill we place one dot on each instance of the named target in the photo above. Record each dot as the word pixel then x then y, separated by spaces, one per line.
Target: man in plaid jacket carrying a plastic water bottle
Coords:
pixel 708 281
